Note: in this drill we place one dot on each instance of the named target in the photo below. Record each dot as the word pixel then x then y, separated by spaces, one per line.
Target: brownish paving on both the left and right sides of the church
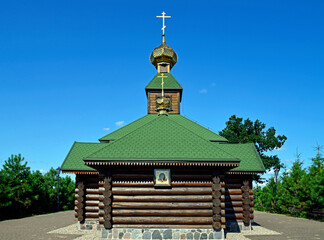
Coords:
pixel 35 228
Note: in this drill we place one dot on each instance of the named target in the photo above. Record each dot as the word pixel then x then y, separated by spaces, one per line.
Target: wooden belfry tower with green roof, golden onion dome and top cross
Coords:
pixel 163 58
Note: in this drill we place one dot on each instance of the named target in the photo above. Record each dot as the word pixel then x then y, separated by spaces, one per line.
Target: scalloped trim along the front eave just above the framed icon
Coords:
pixel 146 163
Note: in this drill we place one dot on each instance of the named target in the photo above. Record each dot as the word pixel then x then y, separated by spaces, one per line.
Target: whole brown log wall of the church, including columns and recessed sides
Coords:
pixel 200 198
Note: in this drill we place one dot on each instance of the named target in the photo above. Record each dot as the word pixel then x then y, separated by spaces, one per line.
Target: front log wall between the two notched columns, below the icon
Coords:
pixel 137 203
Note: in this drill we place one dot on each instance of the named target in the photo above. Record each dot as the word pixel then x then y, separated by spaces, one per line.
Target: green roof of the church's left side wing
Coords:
pixel 79 150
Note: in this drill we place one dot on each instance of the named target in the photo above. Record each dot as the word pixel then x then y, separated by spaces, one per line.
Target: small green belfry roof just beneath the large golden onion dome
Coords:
pixel 169 82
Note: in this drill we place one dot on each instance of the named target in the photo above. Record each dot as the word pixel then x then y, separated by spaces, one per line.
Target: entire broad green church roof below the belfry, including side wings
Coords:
pixel 171 137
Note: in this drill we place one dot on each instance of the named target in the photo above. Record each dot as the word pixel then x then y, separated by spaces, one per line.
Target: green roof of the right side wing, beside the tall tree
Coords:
pixel 247 153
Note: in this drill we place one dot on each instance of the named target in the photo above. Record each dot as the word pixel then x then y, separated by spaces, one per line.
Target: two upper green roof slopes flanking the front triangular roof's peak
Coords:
pixel 183 121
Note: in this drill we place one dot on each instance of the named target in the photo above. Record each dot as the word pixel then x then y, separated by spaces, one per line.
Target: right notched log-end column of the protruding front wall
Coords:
pixel 216 196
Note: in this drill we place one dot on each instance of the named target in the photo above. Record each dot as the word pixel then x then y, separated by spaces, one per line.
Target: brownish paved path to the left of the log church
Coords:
pixel 37 227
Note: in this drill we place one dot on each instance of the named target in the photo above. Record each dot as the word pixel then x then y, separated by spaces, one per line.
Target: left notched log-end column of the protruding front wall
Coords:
pixel 107 200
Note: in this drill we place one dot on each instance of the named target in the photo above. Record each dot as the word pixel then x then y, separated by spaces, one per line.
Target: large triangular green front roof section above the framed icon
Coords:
pixel 162 139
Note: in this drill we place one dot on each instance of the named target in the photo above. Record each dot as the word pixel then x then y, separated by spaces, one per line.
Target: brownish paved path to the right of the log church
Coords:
pixel 289 227
